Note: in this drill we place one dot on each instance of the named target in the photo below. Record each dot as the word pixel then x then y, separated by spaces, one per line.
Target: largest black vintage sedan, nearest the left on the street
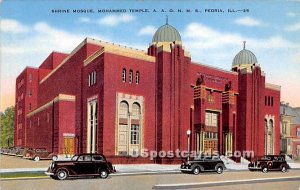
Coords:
pixel 81 165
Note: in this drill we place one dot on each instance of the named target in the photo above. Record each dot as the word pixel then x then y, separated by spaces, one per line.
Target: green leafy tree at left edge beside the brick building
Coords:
pixel 7 127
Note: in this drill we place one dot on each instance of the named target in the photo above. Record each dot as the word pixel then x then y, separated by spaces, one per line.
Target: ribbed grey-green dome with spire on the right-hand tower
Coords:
pixel 244 57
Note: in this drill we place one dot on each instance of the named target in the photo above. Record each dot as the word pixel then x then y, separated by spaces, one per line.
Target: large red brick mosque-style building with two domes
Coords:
pixel 103 97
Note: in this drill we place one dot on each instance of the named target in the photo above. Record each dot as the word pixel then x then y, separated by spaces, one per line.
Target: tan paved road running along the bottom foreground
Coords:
pixel 144 182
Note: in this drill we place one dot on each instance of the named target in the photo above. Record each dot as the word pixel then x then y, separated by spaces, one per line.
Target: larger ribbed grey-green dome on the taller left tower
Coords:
pixel 166 33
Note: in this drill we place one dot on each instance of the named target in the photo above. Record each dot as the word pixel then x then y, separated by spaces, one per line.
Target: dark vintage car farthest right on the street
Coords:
pixel 269 162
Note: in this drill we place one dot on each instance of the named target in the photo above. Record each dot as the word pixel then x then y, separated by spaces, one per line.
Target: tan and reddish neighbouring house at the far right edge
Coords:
pixel 289 130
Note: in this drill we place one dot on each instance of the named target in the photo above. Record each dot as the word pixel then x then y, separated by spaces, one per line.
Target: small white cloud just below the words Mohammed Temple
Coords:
pixel 114 20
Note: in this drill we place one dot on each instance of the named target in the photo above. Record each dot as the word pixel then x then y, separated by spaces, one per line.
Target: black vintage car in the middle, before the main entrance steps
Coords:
pixel 203 163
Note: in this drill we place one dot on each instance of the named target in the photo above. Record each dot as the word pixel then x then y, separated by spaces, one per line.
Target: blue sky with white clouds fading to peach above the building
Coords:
pixel 212 31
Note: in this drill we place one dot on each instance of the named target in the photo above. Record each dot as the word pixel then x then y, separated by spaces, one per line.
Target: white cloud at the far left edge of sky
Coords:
pixel 13 26
